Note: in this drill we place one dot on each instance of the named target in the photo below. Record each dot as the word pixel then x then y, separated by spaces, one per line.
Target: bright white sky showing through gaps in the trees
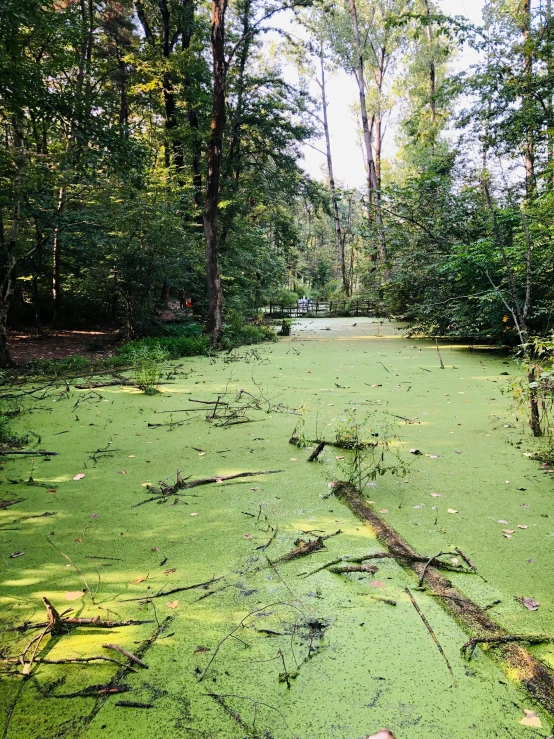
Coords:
pixel 342 92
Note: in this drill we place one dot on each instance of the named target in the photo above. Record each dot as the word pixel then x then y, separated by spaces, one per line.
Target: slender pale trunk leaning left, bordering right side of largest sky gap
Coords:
pixel 373 190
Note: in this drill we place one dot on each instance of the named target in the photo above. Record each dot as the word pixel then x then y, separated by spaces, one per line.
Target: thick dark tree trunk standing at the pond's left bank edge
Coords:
pixel 214 319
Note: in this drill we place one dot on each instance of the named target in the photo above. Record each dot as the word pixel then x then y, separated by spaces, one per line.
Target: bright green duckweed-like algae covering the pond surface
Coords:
pixel 223 652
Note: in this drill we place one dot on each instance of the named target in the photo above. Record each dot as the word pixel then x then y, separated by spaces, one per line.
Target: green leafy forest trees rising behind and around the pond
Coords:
pixel 152 147
